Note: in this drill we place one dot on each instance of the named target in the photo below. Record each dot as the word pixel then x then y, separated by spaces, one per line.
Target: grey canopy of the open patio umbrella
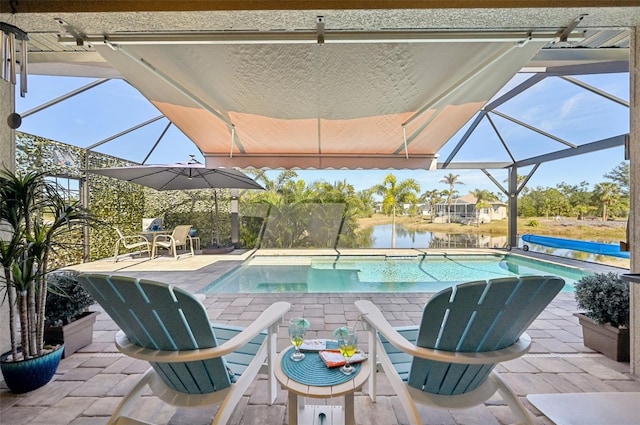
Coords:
pixel 181 176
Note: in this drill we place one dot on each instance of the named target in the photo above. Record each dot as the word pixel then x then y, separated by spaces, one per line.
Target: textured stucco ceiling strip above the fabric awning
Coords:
pixel 336 20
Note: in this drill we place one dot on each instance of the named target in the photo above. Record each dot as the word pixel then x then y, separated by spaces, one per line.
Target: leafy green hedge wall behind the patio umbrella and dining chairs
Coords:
pixel 118 203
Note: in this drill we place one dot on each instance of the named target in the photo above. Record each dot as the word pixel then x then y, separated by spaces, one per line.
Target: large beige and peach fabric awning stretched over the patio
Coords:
pixel 349 105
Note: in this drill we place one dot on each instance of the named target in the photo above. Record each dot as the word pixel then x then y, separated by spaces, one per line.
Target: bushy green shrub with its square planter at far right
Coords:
pixel 604 297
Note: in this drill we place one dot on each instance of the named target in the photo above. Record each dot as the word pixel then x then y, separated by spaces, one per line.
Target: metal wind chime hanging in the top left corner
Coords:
pixel 13 52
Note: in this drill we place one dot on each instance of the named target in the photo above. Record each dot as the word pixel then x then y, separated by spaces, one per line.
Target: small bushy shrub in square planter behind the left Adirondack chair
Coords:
pixel 67 317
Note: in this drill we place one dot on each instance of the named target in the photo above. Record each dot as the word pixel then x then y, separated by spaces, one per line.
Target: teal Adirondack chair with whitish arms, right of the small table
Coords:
pixel 449 360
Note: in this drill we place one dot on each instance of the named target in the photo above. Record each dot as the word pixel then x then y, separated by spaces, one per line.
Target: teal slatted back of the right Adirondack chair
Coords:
pixel 476 317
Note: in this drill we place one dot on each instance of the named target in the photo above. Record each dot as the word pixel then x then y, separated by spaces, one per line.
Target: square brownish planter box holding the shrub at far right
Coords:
pixel 606 339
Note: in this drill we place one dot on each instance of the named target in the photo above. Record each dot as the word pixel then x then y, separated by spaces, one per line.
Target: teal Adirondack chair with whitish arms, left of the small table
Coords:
pixel 193 362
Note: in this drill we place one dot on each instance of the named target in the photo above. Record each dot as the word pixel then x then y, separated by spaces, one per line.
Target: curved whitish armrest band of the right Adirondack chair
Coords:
pixel 374 317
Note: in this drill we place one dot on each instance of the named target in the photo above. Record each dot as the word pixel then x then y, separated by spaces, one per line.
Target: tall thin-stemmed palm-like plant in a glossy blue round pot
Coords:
pixel 35 222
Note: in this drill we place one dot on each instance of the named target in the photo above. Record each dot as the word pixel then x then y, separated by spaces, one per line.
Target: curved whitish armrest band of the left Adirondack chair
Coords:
pixel 272 315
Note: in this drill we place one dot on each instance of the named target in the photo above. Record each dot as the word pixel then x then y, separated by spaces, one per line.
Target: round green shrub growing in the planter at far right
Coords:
pixel 605 298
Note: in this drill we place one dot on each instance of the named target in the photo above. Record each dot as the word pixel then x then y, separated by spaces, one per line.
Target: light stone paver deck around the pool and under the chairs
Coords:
pixel 90 383
